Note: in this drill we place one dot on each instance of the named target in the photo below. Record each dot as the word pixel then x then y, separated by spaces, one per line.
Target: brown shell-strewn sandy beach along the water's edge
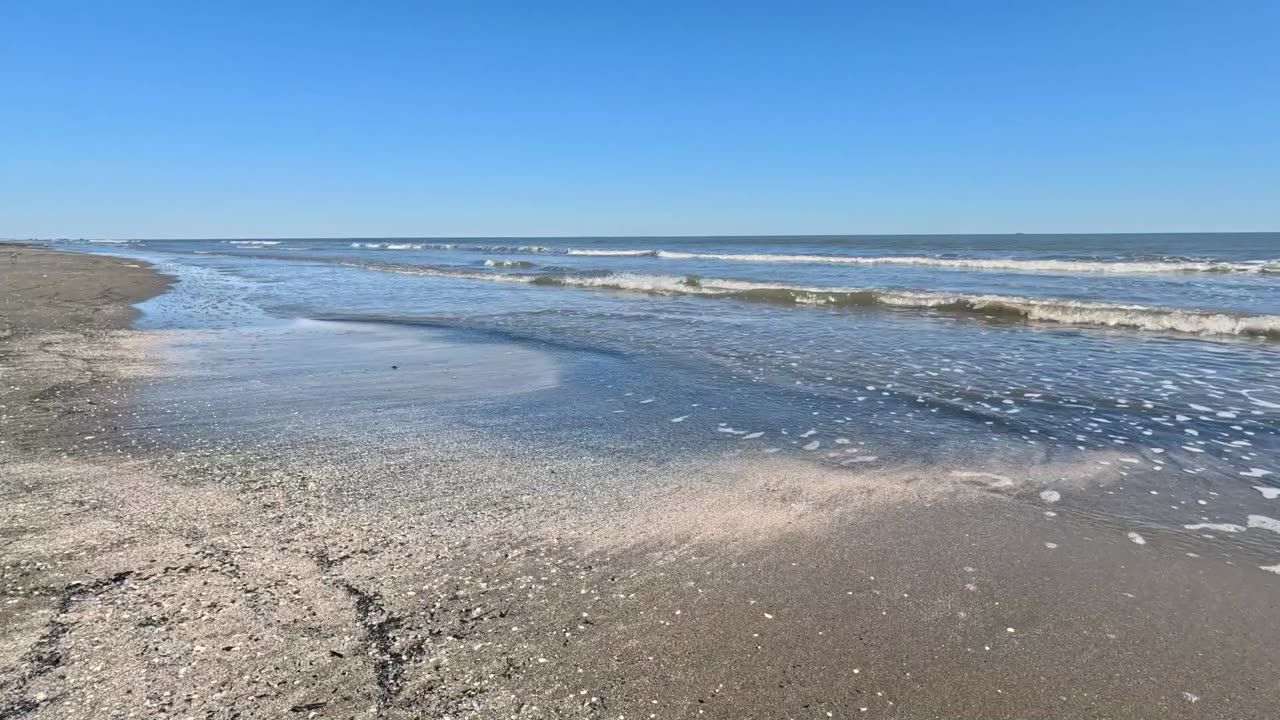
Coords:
pixel 267 581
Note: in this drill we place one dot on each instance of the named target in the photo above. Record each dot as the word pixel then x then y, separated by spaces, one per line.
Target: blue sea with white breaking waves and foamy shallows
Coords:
pixel 1153 359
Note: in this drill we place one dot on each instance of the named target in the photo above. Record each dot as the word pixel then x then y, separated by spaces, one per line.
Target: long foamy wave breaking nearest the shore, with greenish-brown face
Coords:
pixel 999 307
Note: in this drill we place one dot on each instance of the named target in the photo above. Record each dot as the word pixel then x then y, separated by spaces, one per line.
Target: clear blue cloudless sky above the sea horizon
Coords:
pixel 542 119
